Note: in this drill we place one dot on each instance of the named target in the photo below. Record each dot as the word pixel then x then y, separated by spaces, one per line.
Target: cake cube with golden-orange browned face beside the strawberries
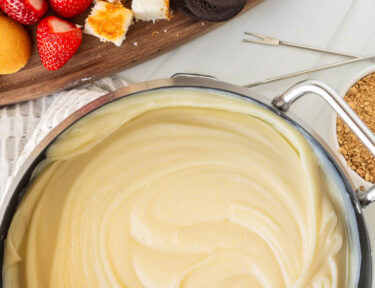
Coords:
pixel 109 21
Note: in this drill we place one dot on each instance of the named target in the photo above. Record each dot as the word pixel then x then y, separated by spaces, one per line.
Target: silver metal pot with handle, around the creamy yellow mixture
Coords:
pixel 353 201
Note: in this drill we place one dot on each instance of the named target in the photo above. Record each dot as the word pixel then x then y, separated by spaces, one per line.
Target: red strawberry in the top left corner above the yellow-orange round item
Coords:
pixel 24 11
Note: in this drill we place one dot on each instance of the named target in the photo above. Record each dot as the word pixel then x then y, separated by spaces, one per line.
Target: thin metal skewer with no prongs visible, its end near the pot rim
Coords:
pixel 273 79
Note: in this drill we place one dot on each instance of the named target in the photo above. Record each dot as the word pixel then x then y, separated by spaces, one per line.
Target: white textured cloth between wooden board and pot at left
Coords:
pixel 24 125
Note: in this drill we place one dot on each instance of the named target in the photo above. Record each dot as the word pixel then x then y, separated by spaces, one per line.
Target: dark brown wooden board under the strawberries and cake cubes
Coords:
pixel 95 59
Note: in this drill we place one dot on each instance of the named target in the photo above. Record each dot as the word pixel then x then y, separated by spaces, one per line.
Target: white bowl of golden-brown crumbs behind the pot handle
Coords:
pixel 360 95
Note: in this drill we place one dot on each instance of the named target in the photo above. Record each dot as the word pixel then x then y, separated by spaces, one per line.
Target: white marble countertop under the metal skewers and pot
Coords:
pixel 344 25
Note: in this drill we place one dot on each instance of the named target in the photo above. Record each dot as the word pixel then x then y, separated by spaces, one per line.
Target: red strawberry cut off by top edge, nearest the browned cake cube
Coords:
pixel 69 8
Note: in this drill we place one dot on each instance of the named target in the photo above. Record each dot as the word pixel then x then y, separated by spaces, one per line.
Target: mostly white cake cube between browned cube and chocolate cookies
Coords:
pixel 151 10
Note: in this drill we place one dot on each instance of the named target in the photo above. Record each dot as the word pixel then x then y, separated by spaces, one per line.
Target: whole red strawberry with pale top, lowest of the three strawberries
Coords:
pixel 57 40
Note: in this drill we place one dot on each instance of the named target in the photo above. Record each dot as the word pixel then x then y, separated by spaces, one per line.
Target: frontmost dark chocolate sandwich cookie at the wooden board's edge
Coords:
pixel 205 11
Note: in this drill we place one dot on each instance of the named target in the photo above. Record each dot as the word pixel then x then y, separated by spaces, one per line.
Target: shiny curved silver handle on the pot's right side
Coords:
pixel 285 101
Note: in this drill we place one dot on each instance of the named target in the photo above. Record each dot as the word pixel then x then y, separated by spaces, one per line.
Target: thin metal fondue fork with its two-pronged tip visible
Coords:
pixel 266 40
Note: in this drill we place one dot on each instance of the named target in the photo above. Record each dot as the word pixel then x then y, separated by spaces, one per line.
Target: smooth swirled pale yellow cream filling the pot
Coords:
pixel 178 188
